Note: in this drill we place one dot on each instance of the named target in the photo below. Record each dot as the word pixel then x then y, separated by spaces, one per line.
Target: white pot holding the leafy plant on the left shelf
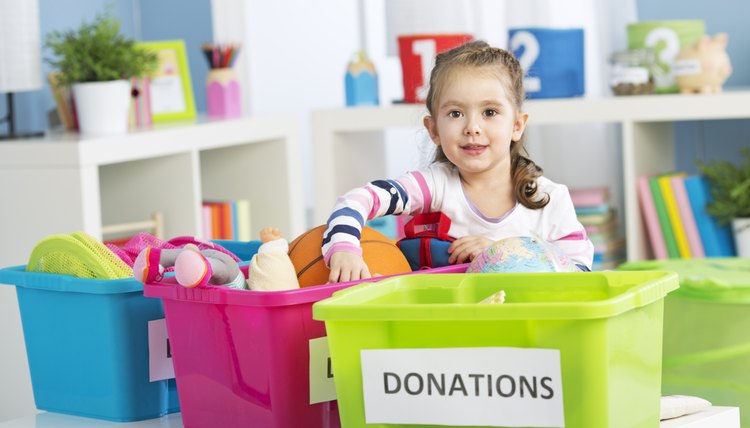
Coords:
pixel 102 107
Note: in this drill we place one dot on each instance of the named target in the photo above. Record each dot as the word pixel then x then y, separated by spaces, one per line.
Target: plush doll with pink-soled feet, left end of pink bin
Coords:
pixel 192 267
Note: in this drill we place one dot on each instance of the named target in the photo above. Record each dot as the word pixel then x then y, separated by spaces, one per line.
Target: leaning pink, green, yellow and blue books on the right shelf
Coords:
pixel 674 211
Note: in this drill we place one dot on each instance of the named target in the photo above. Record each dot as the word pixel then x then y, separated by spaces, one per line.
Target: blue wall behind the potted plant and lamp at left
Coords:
pixel 160 20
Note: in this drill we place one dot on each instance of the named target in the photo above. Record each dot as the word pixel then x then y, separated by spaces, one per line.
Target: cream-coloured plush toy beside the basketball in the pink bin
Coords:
pixel 271 269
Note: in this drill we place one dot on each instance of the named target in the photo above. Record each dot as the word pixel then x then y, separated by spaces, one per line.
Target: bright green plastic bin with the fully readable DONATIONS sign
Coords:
pixel 606 326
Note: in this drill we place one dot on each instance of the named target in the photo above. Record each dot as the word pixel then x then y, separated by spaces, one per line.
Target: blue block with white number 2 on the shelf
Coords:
pixel 552 60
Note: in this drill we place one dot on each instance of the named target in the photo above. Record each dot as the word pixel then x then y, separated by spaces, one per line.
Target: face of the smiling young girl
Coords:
pixel 475 122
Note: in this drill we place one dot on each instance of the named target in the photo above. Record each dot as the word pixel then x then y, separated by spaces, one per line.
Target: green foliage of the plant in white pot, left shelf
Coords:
pixel 96 52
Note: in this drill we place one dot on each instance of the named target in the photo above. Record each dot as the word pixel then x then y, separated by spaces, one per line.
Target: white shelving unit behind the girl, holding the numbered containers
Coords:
pixel 349 149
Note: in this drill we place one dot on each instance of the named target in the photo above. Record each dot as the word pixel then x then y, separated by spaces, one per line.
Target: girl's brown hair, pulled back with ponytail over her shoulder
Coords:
pixel 476 54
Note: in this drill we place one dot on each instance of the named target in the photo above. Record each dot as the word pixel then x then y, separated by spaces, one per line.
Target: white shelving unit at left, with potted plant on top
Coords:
pixel 65 182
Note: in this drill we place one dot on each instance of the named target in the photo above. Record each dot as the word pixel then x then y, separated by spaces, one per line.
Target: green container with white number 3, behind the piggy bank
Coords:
pixel 665 38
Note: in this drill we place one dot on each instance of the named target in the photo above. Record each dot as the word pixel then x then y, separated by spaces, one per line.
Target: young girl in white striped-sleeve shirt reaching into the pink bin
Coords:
pixel 479 178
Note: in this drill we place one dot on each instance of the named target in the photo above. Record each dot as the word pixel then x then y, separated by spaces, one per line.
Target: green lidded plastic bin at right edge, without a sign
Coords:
pixel 707 330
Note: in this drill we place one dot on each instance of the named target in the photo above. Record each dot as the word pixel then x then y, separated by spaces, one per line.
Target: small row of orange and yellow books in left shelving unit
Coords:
pixel 227 220
